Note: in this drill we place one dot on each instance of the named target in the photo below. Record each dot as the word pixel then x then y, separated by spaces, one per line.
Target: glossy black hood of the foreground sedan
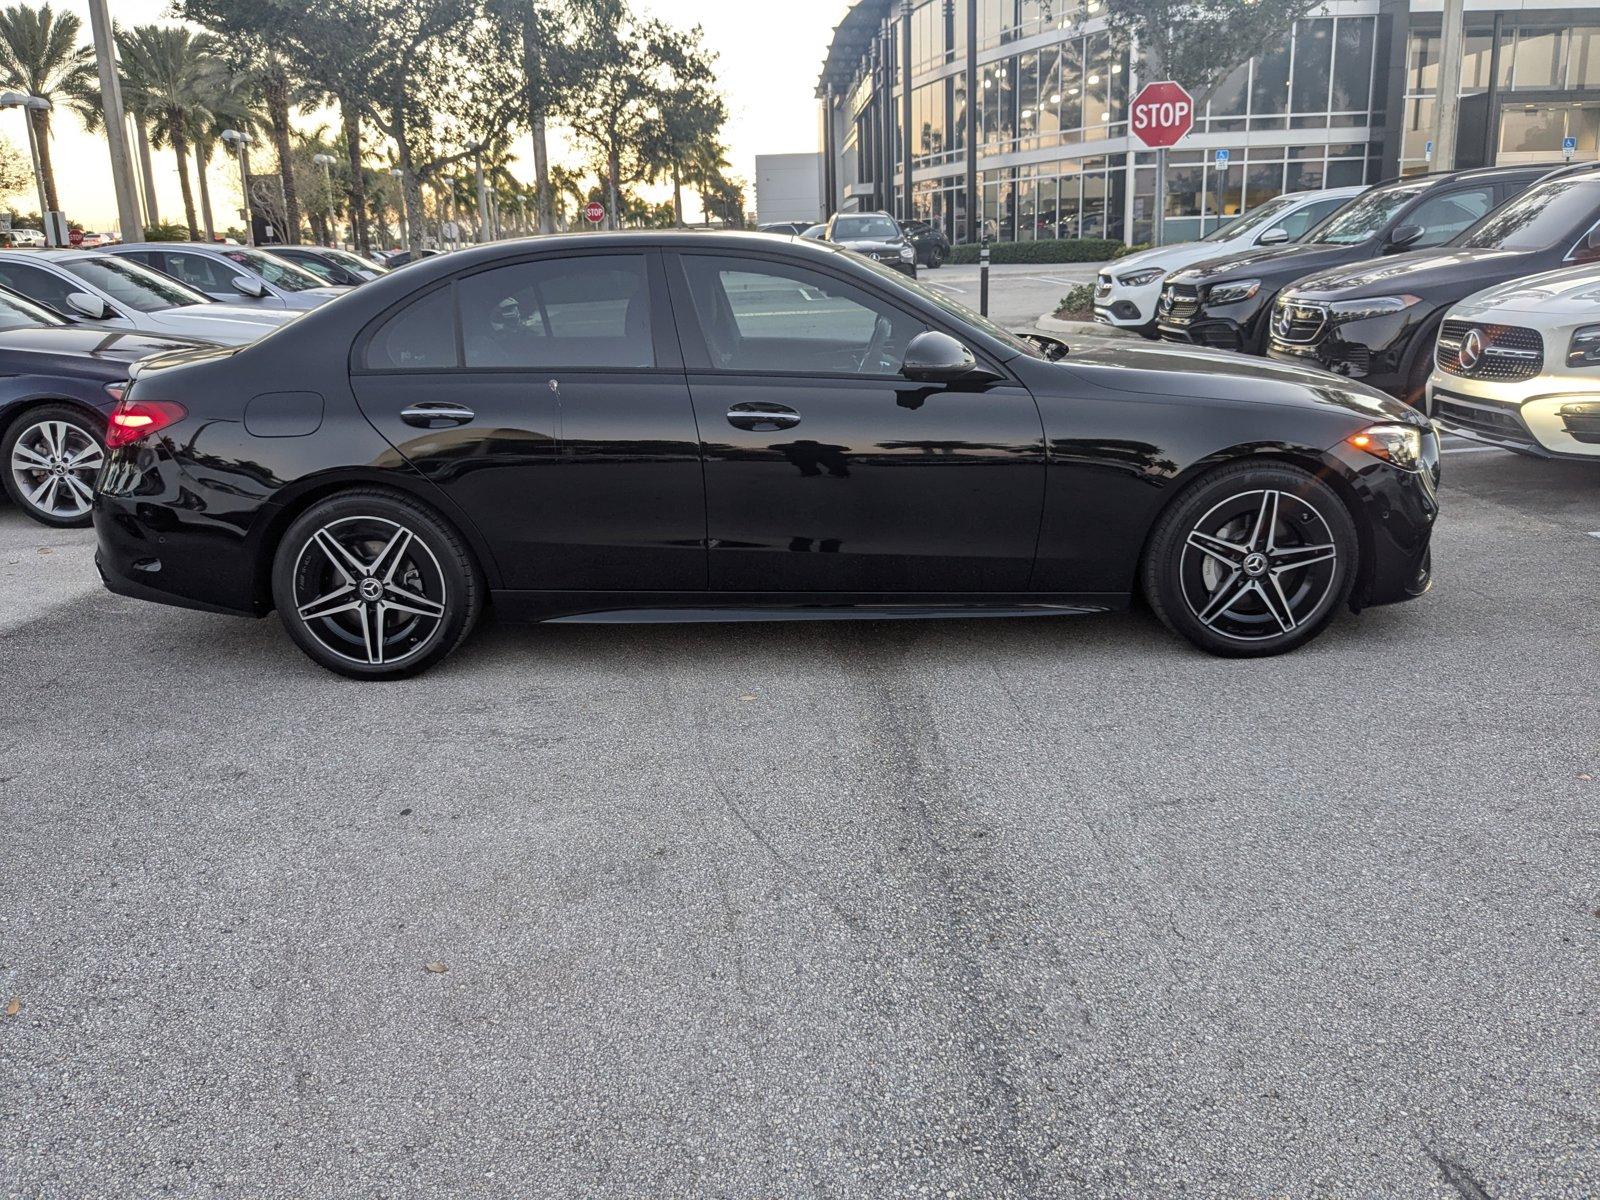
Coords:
pixel 1206 377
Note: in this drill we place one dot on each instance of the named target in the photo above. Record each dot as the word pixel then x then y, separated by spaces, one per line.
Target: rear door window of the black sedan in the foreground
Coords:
pixel 591 311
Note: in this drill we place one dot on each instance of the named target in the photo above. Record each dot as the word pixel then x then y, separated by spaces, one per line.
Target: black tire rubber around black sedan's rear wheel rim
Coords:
pixel 463 582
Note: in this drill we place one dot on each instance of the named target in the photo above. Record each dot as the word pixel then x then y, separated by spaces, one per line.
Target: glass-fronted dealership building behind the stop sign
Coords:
pixel 1015 113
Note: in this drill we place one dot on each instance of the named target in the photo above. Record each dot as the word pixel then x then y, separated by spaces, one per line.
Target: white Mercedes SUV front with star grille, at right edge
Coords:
pixel 1519 366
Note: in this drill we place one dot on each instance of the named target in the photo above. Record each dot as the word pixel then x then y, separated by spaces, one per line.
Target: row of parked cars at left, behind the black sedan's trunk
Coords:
pixel 73 322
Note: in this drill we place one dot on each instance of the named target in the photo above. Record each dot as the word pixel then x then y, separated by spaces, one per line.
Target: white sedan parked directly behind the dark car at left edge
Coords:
pixel 116 294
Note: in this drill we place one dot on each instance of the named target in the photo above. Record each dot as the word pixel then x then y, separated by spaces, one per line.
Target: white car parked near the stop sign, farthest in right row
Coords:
pixel 1127 290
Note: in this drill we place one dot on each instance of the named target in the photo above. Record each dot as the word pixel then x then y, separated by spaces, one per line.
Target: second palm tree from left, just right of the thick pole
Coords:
pixel 172 74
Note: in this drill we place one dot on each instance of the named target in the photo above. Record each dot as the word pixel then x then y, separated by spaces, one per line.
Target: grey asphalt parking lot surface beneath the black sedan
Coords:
pixel 1050 908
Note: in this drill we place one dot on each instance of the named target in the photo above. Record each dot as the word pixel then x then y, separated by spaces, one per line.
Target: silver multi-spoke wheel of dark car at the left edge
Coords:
pixel 50 457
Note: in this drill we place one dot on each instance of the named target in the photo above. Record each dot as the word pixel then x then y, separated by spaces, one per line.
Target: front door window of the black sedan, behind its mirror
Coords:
pixel 778 318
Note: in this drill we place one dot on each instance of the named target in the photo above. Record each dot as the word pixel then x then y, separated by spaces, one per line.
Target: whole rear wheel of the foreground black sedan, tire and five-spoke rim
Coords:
pixel 374 585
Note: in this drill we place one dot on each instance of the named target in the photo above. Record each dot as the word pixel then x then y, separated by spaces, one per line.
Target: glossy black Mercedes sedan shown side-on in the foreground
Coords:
pixel 730 426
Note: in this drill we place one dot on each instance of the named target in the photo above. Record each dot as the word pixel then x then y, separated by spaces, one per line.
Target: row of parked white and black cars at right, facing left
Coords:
pixel 1473 295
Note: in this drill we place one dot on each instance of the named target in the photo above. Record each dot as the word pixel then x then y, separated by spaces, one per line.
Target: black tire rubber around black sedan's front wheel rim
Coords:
pixel 1161 572
